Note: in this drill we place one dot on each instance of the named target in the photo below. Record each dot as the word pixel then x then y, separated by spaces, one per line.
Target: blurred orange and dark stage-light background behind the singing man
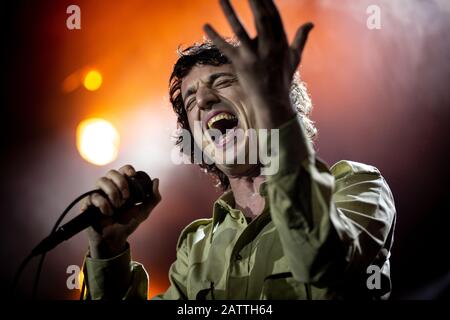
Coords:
pixel 380 96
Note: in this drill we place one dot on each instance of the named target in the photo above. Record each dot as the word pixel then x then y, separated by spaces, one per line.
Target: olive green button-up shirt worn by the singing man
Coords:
pixel 320 230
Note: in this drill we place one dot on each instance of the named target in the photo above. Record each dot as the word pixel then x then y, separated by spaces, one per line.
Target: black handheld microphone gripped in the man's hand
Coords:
pixel 141 190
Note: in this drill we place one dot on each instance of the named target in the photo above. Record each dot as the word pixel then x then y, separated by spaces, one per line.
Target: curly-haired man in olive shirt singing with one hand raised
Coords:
pixel 302 231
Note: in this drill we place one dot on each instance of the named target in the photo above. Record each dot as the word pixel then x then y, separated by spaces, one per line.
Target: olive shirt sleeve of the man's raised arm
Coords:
pixel 331 222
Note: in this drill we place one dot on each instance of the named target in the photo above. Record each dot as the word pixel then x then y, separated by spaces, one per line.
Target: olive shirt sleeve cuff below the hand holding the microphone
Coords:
pixel 117 278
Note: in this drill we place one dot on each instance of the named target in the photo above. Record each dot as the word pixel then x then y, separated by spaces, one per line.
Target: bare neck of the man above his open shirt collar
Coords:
pixel 246 194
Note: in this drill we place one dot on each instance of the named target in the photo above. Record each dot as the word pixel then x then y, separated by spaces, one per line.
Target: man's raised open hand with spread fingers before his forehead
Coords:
pixel 265 64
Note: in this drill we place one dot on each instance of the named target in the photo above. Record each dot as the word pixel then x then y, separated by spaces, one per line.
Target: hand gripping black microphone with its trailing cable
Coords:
pixel 111 213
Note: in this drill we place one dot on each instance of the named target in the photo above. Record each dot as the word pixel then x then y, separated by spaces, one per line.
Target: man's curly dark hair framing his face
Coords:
pixel 206 53
